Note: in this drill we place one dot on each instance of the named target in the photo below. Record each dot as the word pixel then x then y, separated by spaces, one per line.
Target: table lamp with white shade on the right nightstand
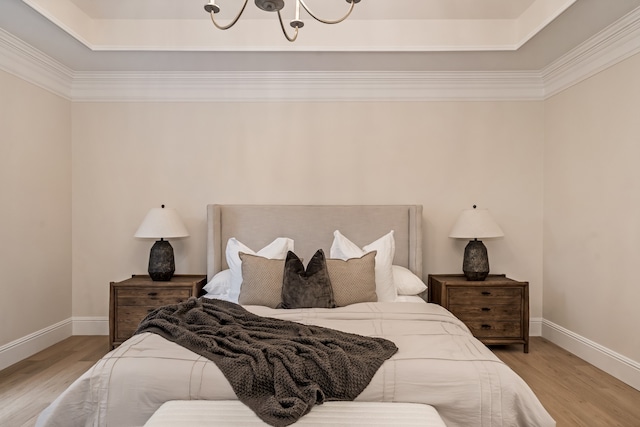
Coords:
pixel 475 224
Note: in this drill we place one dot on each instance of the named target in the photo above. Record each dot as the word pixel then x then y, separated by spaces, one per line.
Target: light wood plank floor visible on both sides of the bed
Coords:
pixel 574 392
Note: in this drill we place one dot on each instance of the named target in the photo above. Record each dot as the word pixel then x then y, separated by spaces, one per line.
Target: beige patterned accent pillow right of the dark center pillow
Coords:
pixel 353 280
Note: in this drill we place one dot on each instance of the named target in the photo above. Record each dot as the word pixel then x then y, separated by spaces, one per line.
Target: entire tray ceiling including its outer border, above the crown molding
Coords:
pixel 381 35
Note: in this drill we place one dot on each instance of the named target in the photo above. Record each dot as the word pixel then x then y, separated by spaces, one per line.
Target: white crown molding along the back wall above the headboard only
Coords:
pixel 306 86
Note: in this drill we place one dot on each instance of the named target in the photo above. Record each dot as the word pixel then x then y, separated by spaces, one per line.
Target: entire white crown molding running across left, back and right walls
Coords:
pixel 614 44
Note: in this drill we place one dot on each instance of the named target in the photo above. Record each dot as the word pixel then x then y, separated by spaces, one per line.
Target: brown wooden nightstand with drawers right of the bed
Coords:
pixel 496 310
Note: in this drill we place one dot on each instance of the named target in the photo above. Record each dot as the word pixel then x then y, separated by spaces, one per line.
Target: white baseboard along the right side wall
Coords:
pixel 616 365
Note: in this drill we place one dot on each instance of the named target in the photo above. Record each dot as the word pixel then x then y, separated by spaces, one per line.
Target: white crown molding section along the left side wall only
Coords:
pixel 29 64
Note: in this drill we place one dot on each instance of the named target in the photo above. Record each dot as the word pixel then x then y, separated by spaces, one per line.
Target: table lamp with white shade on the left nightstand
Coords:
pixel 161 223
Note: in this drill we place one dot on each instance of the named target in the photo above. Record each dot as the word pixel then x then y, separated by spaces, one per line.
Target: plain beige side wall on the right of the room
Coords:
pixel 592 209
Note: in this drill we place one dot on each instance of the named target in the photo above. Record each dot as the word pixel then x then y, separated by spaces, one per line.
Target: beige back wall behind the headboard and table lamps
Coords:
pixel 128 157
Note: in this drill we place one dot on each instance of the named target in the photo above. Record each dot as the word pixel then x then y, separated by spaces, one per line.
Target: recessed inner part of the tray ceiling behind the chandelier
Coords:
pixel 374 25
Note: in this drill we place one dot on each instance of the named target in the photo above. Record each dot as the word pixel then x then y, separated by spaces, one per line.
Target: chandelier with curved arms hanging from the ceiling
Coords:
pixel 275 6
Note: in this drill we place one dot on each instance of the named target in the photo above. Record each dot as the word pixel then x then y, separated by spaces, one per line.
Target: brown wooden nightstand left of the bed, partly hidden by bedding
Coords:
pixel 132 299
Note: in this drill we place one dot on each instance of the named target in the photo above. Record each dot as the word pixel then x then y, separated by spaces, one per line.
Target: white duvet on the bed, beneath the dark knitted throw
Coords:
pixel 438 363
